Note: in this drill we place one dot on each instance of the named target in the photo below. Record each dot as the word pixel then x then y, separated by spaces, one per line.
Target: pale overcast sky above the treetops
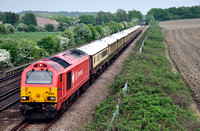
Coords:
pixel 91 5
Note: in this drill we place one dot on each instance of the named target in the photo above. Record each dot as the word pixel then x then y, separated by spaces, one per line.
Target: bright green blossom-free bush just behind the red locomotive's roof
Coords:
pixel 49 44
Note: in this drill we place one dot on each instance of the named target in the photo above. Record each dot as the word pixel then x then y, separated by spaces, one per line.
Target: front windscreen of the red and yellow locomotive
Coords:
pixel 39 77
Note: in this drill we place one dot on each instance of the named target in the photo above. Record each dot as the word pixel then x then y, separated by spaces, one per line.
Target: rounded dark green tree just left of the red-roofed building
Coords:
pixel 29 19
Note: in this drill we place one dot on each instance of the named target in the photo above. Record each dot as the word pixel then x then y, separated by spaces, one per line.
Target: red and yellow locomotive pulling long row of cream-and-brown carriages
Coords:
pixel 49 85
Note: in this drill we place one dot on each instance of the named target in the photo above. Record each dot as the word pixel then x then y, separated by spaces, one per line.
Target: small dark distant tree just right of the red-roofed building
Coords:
pixel 87 19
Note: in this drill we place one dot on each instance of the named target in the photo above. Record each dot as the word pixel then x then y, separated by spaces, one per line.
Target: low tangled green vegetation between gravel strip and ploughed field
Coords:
pixel 156 99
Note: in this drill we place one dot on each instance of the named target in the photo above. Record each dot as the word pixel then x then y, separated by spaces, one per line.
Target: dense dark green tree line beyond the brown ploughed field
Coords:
pixel 173 13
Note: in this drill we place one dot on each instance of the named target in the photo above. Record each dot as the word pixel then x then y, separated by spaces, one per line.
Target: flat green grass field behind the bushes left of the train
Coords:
pixel 33 36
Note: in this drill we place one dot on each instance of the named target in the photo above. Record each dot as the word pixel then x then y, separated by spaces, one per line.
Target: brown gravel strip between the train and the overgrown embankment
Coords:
pixel 80 112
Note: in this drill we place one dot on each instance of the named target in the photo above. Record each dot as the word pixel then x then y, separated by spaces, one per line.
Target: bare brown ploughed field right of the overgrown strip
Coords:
pixel 183 40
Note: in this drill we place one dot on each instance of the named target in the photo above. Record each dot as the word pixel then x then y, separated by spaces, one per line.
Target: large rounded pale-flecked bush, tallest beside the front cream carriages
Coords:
pixel 82 34
